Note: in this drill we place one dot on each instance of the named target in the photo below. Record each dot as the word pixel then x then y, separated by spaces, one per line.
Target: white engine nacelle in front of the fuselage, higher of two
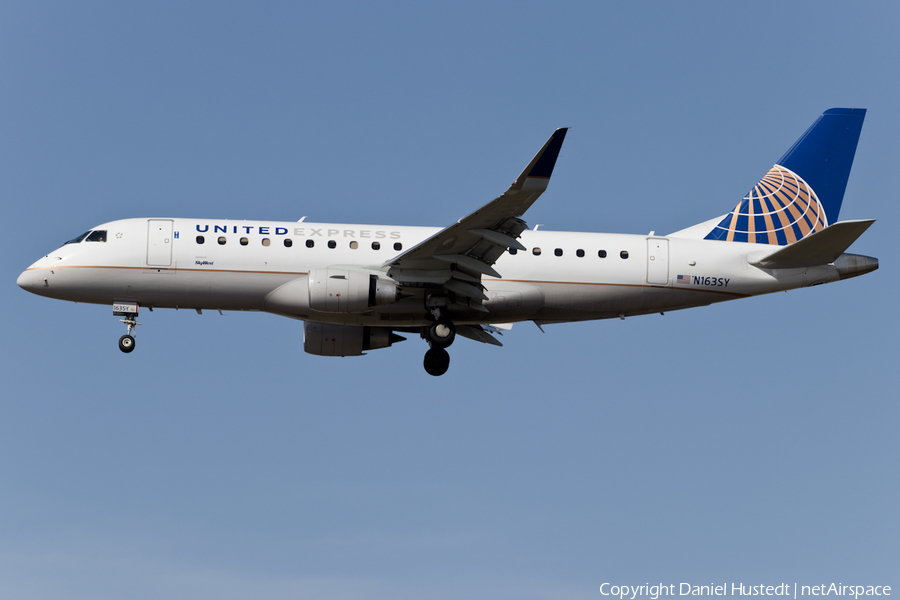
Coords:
pixel 334 289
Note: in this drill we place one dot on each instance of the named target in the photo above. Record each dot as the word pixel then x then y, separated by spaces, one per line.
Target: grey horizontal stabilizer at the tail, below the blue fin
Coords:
pixel 820 248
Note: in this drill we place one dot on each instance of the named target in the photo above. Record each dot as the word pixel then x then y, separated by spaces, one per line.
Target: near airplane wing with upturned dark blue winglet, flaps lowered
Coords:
pixel 456 257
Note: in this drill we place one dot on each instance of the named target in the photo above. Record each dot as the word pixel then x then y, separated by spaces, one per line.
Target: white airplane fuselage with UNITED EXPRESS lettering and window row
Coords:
pixel 262 266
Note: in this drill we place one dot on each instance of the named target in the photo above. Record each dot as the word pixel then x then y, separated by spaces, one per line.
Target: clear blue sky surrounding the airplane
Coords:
pixel 749 441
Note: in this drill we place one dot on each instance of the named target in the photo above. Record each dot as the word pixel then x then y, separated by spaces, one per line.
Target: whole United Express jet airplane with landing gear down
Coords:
pixel 358 287
